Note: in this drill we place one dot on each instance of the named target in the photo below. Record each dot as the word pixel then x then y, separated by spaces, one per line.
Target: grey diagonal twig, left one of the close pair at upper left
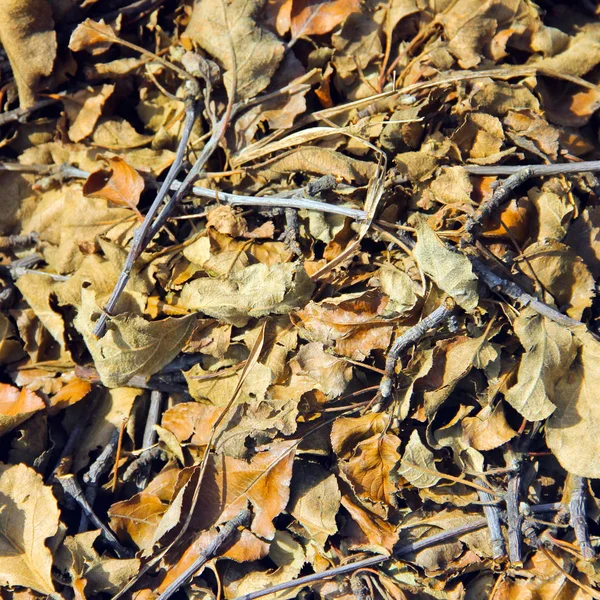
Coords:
pixel 142 236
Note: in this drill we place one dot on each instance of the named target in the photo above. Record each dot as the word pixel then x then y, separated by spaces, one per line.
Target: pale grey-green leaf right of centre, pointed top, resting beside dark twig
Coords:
pixel 450 271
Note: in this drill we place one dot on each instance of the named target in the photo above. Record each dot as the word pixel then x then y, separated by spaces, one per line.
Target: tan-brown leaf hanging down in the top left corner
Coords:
pixel 28 38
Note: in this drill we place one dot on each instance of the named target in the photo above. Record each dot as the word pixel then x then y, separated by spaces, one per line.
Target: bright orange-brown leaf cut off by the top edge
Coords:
pixel 316 18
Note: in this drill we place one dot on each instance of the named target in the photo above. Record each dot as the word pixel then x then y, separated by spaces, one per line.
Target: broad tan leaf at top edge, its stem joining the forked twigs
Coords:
pixel 230 32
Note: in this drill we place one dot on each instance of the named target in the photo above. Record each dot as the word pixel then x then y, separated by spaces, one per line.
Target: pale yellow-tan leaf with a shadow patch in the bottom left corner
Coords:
pixel 28 518
